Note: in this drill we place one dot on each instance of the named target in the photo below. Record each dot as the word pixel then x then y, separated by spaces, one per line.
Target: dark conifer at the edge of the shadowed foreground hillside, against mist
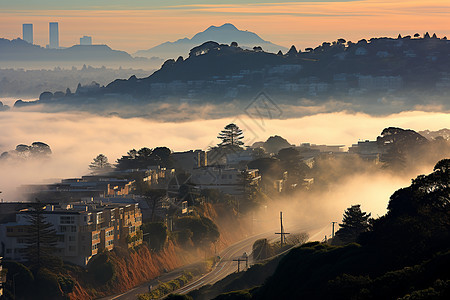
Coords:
pixel 353 224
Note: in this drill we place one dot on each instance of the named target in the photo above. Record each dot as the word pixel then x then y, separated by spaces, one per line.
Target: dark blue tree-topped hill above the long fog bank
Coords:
pixel 401 73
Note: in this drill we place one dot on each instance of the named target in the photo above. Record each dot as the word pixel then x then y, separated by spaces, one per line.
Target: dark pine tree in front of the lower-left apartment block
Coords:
pixel 41 238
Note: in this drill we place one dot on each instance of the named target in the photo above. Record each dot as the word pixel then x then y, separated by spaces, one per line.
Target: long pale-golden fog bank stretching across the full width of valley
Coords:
pixel 76 138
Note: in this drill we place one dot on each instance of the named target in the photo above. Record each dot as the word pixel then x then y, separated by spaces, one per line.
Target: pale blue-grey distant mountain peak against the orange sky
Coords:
pixel 224 34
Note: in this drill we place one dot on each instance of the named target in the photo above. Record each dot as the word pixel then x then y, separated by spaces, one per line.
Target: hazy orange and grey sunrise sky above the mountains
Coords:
pixel 142 24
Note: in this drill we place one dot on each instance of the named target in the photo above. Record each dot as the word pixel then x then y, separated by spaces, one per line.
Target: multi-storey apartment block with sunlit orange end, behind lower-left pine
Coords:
pixel 82 230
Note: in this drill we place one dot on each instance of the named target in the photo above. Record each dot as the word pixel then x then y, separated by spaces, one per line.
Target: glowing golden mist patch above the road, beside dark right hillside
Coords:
pixel 313 211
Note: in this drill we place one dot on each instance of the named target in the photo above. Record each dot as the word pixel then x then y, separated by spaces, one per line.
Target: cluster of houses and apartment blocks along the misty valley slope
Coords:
pixel 98 212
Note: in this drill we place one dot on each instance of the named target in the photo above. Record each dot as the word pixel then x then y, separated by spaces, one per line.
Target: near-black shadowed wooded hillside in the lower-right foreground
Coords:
pixel 405 254
